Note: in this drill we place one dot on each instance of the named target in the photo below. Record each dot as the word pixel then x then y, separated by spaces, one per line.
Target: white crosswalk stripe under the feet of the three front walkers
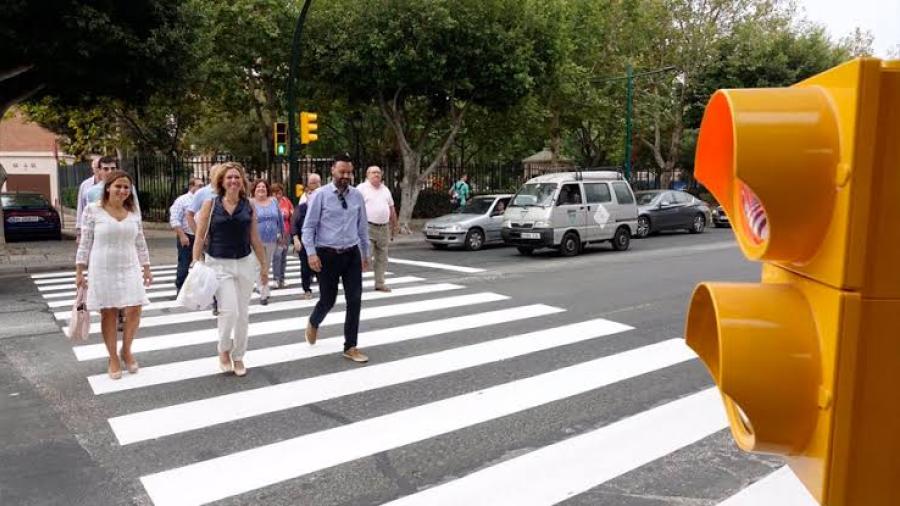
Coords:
pixel 208 366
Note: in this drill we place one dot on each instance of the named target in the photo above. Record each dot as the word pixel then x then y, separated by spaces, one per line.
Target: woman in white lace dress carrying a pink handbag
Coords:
pixel 113 244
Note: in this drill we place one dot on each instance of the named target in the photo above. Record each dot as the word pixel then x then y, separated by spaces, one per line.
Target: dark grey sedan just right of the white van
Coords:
pixel 670 210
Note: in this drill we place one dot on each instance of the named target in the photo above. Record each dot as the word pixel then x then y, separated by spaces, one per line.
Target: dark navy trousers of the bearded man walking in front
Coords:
pixel 346 267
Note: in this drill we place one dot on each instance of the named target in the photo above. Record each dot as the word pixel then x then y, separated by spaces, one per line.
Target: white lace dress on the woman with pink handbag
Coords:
pixel 114 252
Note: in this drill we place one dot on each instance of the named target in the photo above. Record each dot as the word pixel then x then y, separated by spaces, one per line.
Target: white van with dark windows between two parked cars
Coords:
pixel 569 210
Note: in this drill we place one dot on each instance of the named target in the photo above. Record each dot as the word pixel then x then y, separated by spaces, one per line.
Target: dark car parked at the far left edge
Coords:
pixel 28 215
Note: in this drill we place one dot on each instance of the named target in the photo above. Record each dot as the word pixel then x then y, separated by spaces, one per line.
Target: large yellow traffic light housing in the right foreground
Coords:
pixel 807 359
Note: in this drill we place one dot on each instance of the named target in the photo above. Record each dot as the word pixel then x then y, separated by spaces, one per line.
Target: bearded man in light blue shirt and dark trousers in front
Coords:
pixel 335 236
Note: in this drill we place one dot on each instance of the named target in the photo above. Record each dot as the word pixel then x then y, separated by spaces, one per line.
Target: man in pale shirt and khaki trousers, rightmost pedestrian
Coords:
pixel 382 221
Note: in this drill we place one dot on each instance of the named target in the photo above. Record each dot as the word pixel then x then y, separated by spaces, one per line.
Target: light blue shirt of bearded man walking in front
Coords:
pixel 328 224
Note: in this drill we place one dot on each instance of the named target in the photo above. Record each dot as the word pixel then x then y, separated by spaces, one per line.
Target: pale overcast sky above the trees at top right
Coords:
pixel 881 17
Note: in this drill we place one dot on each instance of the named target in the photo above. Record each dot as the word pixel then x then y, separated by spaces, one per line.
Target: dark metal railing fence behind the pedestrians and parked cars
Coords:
pixel 160 179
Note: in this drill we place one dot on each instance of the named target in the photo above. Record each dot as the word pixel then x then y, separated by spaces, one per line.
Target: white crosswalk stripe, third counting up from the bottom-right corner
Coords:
pixel 241 472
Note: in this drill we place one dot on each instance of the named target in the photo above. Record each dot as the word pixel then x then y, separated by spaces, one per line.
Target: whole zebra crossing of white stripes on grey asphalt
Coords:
pixel 451 331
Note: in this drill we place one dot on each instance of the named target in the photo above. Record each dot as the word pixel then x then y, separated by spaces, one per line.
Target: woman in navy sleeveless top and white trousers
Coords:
pixel 227 229
